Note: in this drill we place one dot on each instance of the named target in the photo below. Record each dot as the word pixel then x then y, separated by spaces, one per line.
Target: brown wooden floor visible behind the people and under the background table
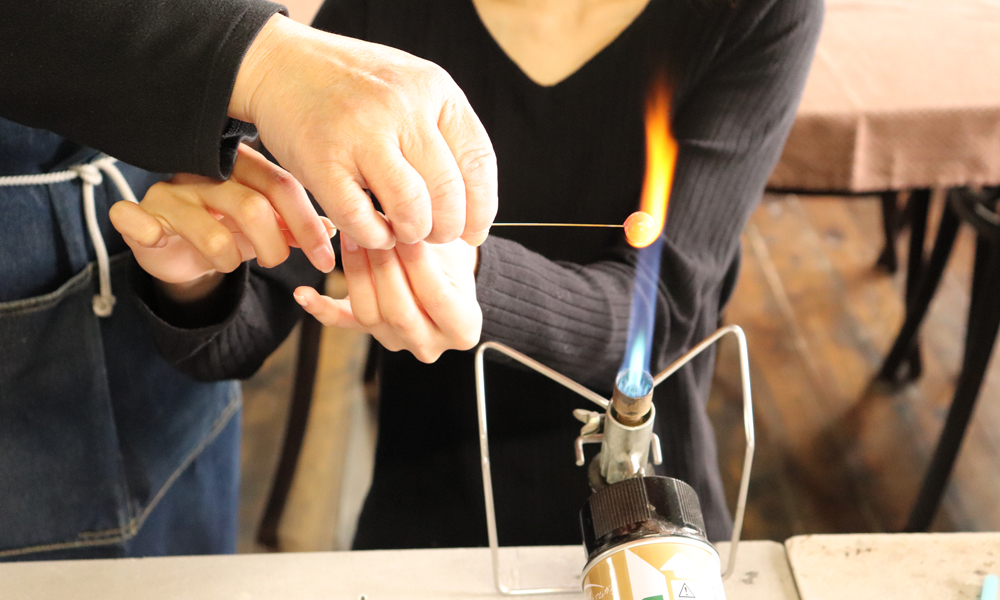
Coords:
pixel 834 454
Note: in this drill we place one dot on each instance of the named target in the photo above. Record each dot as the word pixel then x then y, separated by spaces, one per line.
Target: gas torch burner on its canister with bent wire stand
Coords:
pixel 635 521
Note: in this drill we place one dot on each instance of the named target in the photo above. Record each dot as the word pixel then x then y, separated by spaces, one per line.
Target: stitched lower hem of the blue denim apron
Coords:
pixel 121 534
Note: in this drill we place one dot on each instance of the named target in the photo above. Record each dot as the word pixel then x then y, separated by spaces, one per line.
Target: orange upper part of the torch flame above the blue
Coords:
pixel 661 157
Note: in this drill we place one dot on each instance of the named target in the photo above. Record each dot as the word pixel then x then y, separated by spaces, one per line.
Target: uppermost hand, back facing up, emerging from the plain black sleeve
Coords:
pixel 345 115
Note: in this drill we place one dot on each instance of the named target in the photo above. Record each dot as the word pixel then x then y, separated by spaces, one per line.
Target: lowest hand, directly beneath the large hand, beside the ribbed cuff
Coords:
pixel 417 297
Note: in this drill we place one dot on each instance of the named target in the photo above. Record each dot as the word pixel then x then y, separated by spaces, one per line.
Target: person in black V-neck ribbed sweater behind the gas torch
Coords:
pixel 566 120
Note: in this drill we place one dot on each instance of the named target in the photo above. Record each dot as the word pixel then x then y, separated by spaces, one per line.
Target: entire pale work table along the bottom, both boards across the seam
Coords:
pixel 884 566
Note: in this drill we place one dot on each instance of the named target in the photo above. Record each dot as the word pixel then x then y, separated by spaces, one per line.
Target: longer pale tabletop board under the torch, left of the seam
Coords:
pixel 460 574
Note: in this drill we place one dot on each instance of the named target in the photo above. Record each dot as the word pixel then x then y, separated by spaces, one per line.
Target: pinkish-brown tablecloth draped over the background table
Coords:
pixel 902 94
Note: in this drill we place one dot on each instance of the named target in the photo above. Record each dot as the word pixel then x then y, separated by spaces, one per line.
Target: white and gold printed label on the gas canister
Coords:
pixel 661 569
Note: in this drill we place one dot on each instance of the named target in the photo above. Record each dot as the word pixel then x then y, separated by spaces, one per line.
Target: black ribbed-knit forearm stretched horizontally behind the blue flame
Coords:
pixel 574 318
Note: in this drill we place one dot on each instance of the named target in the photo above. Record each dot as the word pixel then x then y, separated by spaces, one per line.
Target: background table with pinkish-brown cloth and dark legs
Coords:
pixel 904 95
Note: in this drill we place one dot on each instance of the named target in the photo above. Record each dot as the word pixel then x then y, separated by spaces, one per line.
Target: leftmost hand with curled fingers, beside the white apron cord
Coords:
pixel 189 230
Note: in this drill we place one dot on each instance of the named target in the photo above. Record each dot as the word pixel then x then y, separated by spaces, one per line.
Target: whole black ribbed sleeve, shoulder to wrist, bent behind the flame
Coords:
pixel 731 126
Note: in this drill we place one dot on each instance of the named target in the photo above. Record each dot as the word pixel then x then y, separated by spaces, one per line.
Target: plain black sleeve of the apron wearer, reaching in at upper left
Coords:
pixel 145 81
